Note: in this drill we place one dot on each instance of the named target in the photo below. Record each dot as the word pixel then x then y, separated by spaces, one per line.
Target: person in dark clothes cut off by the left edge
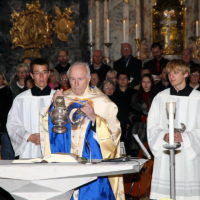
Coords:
pixel 6 99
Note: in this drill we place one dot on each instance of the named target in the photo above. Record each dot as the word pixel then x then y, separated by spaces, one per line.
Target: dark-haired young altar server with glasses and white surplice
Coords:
pixel 23 122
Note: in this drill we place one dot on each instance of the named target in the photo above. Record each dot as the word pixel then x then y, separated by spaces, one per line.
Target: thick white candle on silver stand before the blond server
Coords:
pixel 171 122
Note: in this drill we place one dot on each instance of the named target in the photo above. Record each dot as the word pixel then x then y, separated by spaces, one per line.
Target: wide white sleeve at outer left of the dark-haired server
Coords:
pixel 16 130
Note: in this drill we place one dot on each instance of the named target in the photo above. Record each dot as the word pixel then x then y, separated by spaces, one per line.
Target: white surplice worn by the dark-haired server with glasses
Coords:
pixel 24 120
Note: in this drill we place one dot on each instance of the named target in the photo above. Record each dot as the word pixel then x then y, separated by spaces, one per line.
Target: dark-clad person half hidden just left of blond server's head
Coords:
pixel 163 83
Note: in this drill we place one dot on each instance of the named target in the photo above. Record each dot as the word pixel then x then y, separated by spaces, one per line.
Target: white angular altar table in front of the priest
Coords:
pixel 56 181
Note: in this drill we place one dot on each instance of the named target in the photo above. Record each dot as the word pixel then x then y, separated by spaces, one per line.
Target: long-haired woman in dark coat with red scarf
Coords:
pixel 139 108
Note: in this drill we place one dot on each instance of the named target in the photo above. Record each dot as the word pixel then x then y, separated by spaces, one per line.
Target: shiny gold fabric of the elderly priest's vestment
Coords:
pixel 107 134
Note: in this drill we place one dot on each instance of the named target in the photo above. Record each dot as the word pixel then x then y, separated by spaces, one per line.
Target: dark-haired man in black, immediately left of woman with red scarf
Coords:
pixel 122 98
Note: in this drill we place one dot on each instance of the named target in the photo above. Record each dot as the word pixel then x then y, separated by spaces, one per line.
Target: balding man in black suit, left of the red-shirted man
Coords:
pixel 128 64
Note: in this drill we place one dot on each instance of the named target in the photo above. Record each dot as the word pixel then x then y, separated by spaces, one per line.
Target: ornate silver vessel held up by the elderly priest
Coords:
pixel 59 115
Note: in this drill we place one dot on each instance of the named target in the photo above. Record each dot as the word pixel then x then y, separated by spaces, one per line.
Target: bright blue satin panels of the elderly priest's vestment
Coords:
pixel 99 189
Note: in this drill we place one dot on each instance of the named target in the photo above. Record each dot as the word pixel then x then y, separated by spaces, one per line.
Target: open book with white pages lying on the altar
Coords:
pixel 51 158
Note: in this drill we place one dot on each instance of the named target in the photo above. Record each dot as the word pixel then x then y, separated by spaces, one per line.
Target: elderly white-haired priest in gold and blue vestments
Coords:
pixel 93 131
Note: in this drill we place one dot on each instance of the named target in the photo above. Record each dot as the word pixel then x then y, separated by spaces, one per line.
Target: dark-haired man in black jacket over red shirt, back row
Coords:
pixel 158 62
